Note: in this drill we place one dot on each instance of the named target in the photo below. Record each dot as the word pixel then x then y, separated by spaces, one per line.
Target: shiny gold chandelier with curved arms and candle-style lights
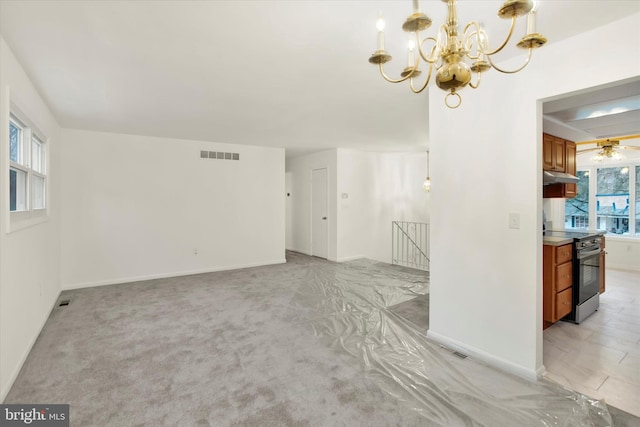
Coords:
pixel 450 51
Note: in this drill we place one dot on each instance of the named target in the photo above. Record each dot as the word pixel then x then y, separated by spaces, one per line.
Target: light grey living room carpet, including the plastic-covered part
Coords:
pixel 309 342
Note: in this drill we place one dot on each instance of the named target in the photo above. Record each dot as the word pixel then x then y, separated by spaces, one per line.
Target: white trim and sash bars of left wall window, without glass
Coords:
pixel 19 220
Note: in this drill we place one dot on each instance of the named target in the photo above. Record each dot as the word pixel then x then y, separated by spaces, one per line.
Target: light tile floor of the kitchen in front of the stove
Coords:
pixel 601 356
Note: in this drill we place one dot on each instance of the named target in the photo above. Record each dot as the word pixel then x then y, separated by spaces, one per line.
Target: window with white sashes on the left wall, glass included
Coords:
pixel 27 167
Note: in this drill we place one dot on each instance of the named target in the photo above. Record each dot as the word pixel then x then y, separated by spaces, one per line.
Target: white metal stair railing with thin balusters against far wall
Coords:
pixel 410 244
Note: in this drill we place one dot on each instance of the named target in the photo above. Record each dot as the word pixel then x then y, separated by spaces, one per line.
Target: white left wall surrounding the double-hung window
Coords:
pixel 29 260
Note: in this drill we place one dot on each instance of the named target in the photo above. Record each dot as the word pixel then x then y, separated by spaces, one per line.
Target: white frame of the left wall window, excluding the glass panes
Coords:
pixel 20 219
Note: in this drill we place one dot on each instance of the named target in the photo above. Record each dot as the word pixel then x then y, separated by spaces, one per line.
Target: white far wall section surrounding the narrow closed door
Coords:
pixel 300 169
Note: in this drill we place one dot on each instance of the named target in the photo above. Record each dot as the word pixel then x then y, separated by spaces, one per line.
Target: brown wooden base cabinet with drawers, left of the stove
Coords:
pixel 557 283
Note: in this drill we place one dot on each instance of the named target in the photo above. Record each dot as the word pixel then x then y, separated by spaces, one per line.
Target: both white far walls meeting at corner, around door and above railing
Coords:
pixel 367 190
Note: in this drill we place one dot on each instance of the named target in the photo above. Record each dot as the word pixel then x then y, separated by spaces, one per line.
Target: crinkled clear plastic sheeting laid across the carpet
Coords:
pixel 347 305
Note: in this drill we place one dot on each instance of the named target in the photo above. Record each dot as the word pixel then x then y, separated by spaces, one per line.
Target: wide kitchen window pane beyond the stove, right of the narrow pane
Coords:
pixel 612 200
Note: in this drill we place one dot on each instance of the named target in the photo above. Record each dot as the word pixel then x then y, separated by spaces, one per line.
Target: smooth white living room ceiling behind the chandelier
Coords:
pixel 290 74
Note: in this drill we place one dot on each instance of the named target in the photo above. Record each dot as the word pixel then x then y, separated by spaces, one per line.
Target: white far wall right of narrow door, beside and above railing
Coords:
pixel 380 188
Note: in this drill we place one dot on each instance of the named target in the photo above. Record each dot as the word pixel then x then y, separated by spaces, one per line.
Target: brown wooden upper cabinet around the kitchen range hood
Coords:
pixel 559 155
